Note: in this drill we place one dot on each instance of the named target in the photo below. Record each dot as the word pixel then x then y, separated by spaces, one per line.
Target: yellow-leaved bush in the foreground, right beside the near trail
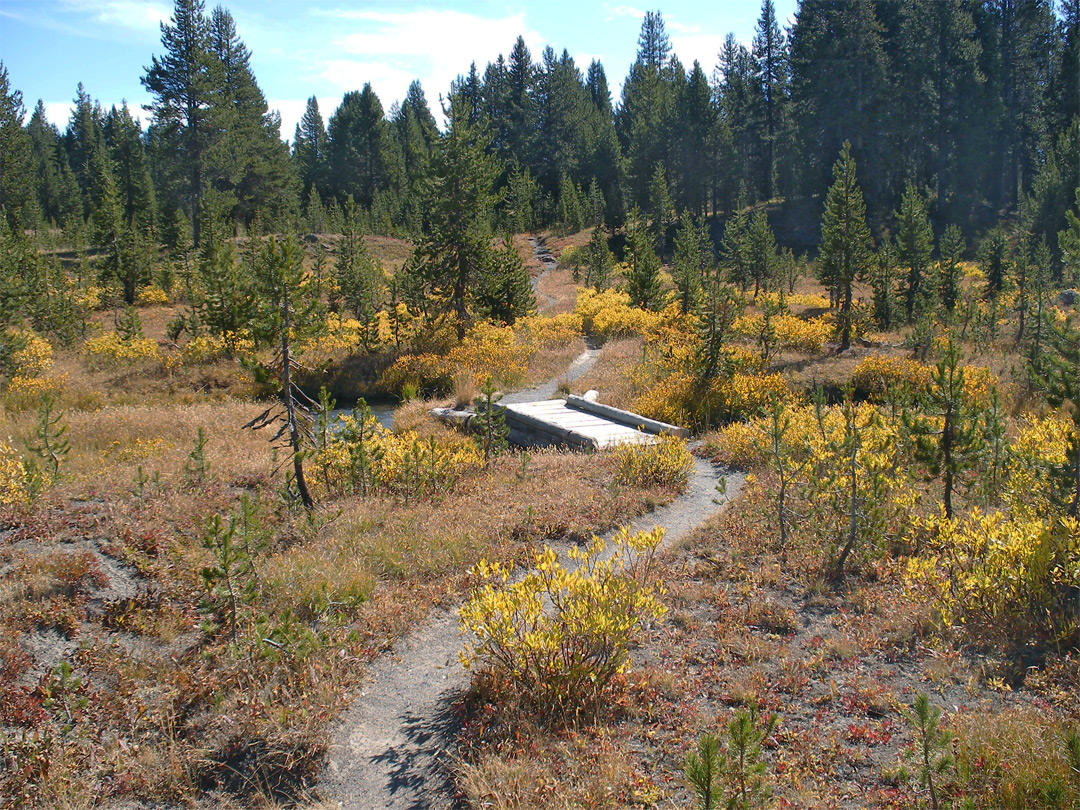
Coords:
pixel 559 638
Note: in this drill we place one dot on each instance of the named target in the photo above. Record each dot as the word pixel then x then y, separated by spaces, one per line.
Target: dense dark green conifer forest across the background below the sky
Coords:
pixel 976 103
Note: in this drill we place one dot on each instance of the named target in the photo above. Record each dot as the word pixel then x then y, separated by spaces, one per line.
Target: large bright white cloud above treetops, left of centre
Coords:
pixel 390 49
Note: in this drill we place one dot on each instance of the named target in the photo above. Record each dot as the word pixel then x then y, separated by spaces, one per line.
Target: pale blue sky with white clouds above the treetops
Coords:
pixel 326 48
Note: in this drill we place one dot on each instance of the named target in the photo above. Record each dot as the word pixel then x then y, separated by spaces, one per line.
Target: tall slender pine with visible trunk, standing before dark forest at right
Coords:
pixel 845 239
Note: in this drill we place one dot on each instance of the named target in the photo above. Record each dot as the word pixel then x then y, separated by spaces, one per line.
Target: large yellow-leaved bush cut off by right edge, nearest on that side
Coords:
pixel 1005 578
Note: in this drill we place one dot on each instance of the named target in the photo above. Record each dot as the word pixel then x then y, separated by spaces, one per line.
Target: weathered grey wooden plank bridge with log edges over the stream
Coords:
pixel 576 422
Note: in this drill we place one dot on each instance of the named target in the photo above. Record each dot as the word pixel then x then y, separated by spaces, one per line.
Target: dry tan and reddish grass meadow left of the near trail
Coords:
pixel 105 573
